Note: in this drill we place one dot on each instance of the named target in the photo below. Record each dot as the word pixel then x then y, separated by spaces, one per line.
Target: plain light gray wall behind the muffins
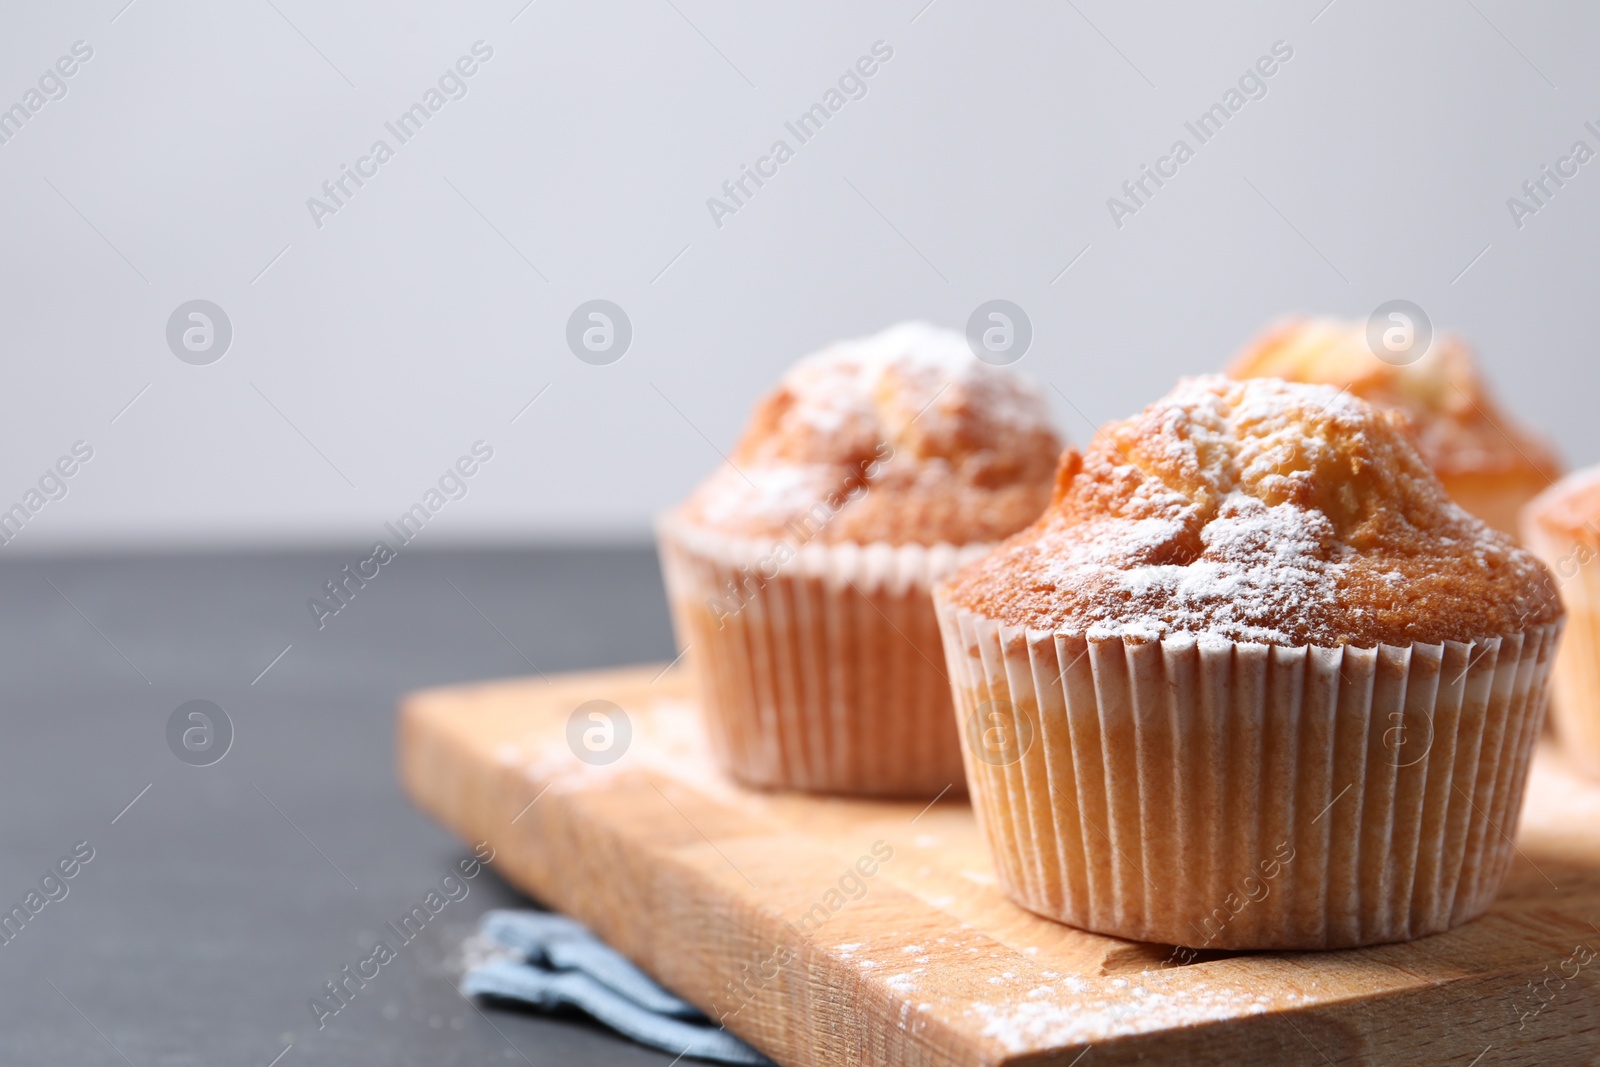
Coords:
pixel 417 321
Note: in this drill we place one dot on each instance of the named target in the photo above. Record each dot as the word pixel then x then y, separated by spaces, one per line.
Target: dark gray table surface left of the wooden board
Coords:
pixel 225 897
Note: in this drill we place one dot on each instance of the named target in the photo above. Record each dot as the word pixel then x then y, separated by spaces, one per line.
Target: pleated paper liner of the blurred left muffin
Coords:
pixel 820 665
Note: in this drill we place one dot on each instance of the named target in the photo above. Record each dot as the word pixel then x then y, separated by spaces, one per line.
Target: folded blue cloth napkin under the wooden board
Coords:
pixel 553 962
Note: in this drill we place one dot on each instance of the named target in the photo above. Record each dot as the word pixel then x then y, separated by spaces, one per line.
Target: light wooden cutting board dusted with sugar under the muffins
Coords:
pixel 836 932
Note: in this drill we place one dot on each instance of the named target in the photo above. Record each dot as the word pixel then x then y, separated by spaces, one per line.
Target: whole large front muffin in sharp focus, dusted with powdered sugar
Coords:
pixel 1252 681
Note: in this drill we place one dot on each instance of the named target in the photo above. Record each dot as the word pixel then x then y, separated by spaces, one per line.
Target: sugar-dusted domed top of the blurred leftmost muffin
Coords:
pixel 903 438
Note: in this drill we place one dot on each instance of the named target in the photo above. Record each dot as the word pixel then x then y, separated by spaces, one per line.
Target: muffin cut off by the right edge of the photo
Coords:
pixel 1562 527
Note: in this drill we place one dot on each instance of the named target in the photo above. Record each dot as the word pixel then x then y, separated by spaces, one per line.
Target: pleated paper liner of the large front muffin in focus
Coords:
pixel 1217 794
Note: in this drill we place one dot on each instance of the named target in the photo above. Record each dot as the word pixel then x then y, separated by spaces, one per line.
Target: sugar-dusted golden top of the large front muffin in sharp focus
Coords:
pixel 1258 511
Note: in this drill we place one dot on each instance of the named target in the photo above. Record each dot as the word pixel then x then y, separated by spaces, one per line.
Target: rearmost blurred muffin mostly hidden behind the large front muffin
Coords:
pixel 1489 465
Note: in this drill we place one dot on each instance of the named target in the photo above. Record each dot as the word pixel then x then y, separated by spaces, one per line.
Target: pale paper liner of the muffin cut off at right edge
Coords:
pixel 1575 706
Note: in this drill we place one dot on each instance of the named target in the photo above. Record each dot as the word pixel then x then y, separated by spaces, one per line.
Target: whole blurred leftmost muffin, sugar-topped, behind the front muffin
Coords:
pixel 801 572
